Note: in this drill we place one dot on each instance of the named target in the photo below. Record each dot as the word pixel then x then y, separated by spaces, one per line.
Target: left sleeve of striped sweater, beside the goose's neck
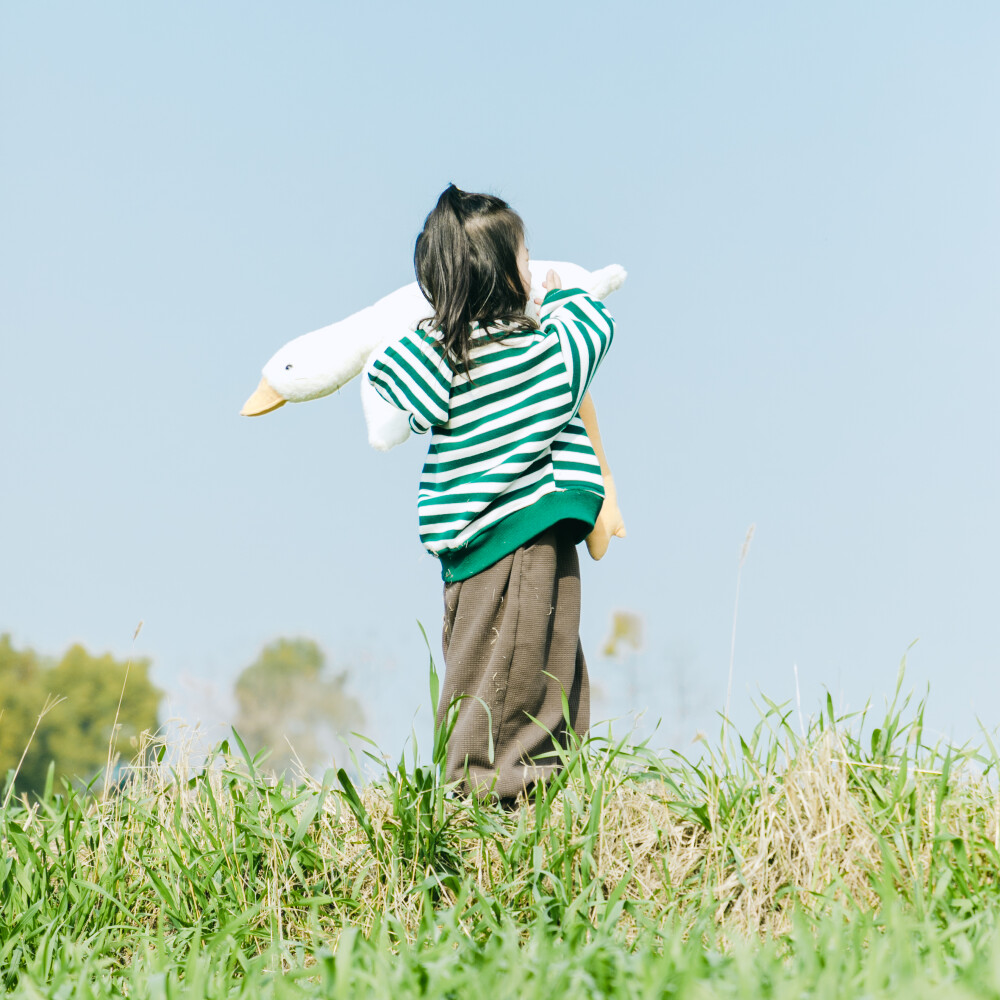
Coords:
pixel 412 375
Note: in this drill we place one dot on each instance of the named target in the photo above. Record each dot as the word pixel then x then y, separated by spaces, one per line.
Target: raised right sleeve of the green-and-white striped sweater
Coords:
pixel 585 330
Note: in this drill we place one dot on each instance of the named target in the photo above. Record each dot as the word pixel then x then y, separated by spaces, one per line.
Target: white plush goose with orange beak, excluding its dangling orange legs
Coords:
pixel 323 361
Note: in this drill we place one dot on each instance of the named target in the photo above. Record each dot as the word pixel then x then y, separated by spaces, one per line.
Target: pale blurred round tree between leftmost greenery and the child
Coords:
pixel 286 697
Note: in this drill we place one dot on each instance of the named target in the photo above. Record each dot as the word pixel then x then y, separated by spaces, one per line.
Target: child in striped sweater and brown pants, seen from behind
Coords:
pixel 511 484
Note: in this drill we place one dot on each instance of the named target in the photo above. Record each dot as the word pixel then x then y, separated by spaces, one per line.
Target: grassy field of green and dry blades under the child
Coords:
pixel 848 860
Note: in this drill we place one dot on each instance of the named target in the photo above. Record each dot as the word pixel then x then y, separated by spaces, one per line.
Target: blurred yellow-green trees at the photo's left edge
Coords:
pixel 78 732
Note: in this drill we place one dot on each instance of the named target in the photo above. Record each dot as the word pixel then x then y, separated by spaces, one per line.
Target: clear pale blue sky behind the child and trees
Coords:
pixel 807 200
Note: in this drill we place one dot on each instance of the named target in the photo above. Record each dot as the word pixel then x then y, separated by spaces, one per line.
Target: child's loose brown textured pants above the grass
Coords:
pixel 512 645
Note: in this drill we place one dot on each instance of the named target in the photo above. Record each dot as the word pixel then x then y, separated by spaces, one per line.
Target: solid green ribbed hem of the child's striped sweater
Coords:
pixel 579 507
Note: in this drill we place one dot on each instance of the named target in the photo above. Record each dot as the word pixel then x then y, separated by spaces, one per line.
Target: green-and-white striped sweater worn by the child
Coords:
pixel 509 455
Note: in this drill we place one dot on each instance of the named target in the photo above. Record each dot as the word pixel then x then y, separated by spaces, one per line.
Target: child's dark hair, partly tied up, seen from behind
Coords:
pixel 466 263
